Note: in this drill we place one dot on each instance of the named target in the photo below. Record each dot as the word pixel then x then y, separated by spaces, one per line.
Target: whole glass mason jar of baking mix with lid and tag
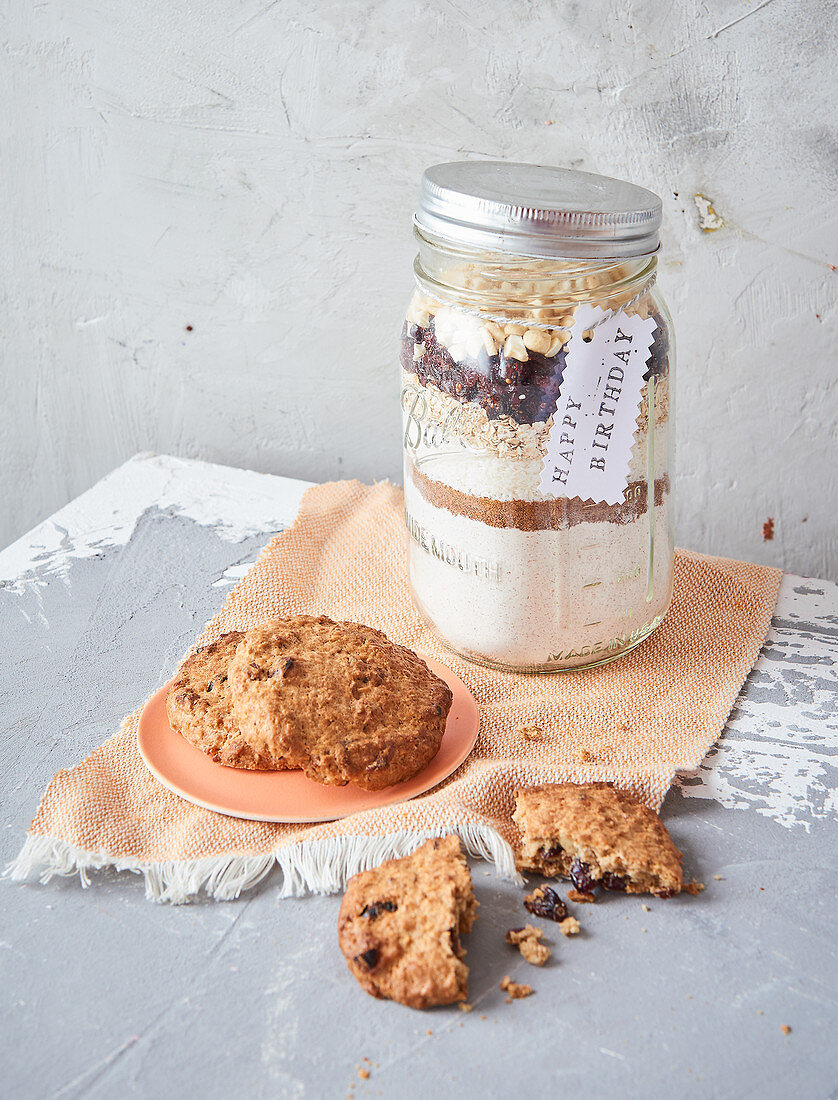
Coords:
pixel 537 387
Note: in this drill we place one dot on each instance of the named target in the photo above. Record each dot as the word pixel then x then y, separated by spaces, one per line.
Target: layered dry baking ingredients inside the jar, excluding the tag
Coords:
pixel 506 574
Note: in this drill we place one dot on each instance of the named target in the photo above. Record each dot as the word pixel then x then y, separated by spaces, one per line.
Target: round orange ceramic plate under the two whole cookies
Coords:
pixel 289 796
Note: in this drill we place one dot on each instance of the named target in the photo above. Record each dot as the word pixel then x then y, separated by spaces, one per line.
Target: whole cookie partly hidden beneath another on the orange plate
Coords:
pixel 200 707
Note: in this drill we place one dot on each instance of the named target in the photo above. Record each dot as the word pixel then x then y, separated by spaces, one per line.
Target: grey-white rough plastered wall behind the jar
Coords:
pixel 250 169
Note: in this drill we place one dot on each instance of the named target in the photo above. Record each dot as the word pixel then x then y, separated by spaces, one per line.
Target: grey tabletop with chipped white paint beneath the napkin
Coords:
pixel 107 995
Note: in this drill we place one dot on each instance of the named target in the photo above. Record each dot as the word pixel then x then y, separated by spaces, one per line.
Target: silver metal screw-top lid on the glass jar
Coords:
pixel 537 211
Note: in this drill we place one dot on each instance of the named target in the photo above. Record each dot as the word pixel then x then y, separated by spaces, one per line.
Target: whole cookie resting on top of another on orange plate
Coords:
pixel 338 700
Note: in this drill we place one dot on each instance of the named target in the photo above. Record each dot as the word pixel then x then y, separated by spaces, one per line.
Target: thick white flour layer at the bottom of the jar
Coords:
pixel 537 598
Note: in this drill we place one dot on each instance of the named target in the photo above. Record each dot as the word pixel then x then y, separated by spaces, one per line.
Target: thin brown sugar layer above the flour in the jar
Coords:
pixel 554 515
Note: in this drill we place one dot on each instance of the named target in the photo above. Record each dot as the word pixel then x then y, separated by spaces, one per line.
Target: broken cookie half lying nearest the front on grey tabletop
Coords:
pixel 400 927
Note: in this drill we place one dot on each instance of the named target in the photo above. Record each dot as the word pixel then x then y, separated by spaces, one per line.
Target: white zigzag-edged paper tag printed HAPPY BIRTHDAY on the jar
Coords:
pixel 590 444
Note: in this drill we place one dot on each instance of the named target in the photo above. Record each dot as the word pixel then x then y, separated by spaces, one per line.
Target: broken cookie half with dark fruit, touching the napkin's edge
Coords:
pixel 597 834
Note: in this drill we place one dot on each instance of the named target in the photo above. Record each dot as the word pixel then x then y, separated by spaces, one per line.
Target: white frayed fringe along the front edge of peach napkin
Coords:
pixel 321 867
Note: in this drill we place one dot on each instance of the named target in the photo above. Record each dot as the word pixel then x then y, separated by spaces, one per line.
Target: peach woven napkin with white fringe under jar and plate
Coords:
pixel 637 721
